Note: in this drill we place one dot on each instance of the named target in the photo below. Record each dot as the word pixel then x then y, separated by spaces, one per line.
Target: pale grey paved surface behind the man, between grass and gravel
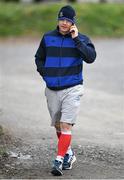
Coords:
pixel 22 102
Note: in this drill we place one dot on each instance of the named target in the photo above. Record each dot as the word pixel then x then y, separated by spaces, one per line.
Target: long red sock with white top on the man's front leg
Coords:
pixel 64 143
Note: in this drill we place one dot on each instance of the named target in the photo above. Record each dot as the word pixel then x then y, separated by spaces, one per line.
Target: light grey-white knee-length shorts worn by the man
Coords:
pixel 63 105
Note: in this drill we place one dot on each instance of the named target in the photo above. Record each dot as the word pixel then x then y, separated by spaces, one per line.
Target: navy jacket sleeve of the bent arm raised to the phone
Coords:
pixel 86 49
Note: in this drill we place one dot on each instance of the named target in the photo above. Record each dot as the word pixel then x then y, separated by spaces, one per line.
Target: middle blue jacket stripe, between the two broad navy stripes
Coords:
pixel 65 62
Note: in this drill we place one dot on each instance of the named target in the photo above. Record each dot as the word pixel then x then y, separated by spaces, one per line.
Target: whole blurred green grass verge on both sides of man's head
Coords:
pixel 106 20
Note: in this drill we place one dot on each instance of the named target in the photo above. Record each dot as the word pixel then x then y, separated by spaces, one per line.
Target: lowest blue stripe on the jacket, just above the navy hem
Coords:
pixel 63 81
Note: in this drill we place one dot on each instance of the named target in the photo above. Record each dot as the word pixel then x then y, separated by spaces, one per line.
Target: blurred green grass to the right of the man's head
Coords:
pixel 102 19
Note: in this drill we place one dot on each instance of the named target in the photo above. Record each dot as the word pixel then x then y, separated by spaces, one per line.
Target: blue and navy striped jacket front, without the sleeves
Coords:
pixel 63 63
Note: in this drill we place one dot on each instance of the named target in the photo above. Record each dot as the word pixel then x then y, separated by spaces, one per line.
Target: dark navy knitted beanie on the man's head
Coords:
pixel 67 12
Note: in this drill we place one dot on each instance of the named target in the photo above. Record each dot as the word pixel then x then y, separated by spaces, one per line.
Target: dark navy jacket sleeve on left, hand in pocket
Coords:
pixel 40 57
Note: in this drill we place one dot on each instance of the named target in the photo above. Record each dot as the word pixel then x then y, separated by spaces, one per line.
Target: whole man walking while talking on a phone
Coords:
pixel 59 60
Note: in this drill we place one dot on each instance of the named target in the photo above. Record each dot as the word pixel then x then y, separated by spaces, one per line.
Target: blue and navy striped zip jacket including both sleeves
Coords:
pixel 59 59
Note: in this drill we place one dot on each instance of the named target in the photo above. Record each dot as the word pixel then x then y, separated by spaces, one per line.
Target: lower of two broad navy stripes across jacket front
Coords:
pixel 63 71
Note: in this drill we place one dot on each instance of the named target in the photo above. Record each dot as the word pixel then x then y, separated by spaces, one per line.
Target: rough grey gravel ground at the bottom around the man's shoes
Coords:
pixel 31 161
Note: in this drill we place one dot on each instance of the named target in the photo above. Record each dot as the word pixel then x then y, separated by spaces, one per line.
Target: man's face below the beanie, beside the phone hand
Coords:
pixel 64 26
